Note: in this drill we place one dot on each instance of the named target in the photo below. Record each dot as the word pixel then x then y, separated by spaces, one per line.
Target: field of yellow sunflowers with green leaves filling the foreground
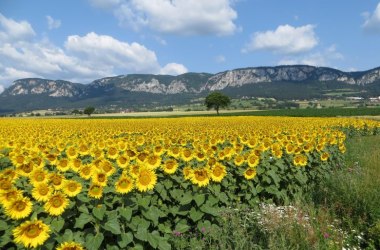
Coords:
pixel 133 183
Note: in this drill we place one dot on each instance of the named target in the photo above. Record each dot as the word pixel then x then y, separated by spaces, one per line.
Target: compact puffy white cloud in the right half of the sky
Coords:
pixel 285 39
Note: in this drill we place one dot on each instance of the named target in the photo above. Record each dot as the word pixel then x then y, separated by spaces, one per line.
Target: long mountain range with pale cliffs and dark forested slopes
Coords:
pixel 133 90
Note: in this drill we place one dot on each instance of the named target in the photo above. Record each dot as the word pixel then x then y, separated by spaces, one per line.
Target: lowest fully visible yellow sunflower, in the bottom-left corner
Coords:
pixel 31 233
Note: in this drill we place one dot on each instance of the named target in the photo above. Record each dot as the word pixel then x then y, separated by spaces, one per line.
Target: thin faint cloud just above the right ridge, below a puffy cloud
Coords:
pixel 324 58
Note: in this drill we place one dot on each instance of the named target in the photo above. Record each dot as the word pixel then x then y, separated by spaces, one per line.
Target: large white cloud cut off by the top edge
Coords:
pixel 181 17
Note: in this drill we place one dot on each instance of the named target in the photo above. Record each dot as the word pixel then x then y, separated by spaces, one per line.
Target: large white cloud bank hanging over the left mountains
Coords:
pixel 82 59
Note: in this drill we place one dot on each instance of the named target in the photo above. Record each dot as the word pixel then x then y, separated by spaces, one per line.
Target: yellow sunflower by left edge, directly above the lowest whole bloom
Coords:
pixel 19 208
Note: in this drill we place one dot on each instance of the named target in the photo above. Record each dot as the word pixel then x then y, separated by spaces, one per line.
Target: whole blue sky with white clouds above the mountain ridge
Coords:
pixel 82 40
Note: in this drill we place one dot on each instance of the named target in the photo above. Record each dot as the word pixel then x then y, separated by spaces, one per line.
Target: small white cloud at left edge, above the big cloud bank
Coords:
pixel 11 30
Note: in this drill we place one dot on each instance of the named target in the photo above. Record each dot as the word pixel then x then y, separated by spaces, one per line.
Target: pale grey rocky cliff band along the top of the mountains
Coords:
pixel 191 82
